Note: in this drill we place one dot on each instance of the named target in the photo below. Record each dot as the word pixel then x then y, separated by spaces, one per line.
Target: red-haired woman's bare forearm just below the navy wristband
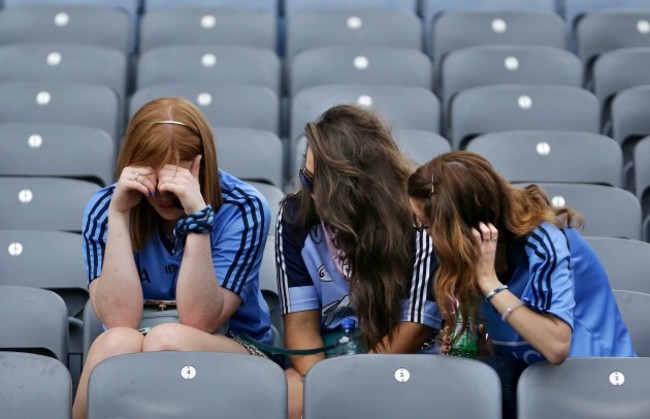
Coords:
pixel 199 296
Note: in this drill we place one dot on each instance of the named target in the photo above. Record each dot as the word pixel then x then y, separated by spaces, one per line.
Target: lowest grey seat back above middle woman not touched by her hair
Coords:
pixel 355 64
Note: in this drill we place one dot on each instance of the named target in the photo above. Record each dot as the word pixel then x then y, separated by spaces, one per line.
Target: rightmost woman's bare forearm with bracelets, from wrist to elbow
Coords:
pixel 547 334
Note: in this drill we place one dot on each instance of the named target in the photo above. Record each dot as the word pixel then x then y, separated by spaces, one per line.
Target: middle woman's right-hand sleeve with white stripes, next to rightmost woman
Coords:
pixel 420 306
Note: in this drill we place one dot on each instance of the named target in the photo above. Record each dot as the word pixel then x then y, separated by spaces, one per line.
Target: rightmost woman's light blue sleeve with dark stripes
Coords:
pixel 550 287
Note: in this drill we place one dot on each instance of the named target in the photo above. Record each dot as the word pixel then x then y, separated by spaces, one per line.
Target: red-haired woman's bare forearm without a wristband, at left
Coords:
pixel 117 293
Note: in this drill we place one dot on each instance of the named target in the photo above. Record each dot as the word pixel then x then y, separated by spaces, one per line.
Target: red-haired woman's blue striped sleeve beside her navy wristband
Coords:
pixel 237 251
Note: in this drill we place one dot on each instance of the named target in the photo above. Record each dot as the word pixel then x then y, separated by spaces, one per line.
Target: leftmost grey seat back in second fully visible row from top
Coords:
pixel 64 62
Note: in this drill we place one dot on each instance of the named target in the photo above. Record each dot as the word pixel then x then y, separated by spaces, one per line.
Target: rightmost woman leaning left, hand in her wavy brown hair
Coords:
pixel 513 263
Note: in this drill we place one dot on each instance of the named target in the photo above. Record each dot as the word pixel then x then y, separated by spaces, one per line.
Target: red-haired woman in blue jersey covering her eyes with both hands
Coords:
pixel 173 227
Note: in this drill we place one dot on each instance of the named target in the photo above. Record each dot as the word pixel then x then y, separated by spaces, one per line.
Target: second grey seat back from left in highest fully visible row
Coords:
pixel 208 25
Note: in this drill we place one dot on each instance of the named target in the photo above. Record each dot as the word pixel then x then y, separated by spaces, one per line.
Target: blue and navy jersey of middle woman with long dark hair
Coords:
pixel 309 280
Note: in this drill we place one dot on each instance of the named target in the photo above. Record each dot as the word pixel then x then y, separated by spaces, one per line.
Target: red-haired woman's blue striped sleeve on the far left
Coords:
pixel 94 231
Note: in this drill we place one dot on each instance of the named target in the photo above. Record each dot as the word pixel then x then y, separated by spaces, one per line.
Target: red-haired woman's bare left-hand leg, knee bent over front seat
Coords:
pixel 115 341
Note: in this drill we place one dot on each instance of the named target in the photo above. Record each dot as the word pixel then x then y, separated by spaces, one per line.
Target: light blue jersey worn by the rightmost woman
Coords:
pixel 555 271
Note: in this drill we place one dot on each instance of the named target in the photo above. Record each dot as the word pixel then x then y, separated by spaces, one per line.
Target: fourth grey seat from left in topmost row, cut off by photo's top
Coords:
pixel 430 9
